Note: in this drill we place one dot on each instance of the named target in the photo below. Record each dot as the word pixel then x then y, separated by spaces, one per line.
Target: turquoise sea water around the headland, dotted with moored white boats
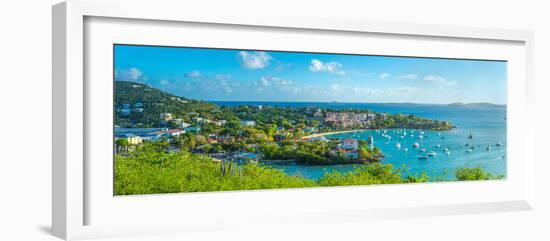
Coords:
pixel 486 123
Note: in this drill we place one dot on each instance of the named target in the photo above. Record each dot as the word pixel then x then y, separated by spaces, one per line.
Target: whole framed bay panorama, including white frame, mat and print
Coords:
pixel 168 122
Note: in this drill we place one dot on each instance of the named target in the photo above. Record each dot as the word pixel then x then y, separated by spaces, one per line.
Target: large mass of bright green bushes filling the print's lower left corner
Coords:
pixel 147 171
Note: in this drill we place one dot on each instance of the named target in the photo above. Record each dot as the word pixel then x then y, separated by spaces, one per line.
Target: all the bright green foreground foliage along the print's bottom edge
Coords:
pixel 150 169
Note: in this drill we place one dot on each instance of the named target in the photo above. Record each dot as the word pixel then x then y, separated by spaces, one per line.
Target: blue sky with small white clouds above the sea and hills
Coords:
pixel 244 75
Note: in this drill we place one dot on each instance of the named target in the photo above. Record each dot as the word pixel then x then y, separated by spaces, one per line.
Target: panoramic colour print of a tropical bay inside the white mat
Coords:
pixel 192 119
